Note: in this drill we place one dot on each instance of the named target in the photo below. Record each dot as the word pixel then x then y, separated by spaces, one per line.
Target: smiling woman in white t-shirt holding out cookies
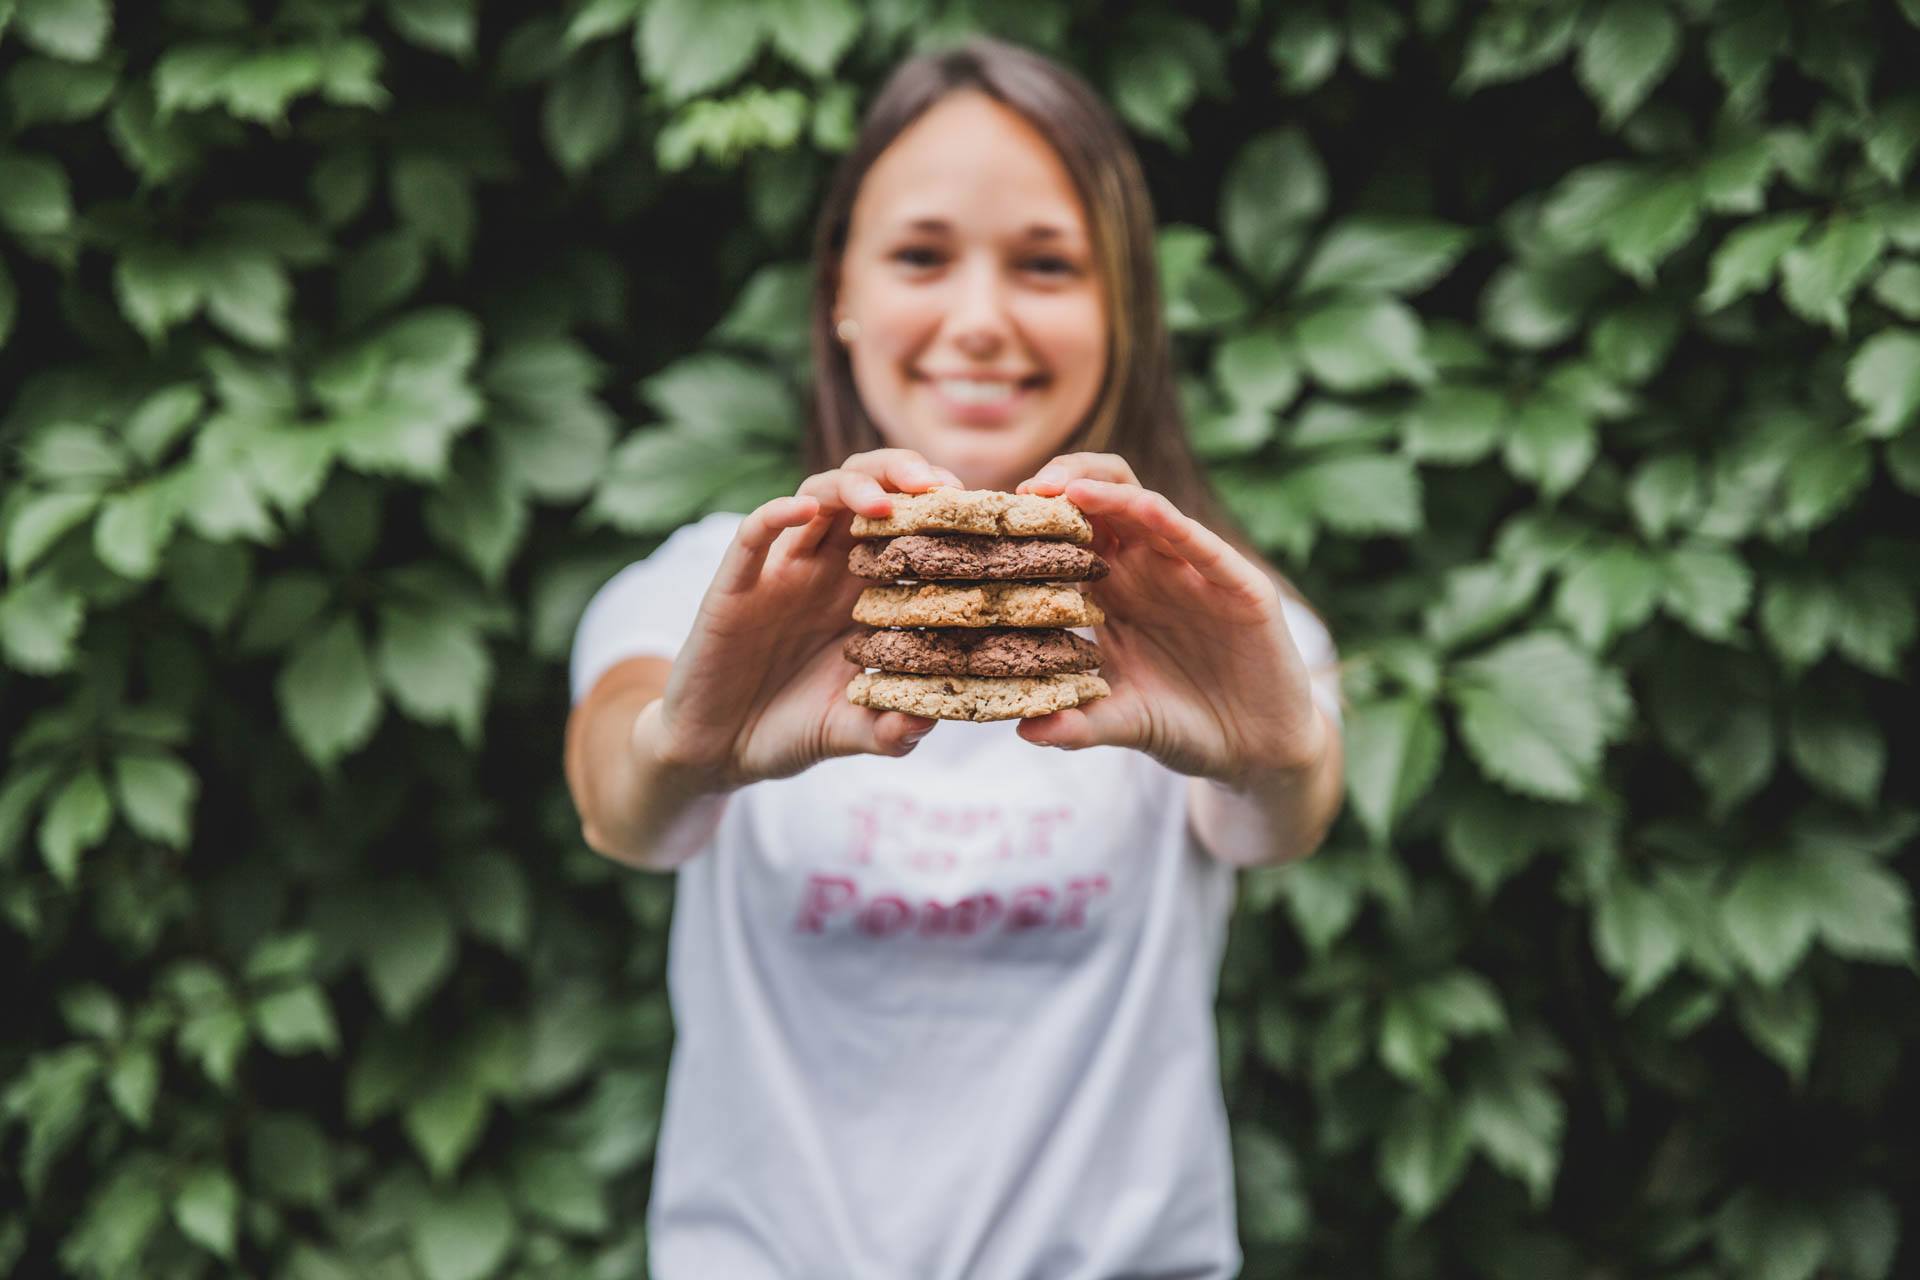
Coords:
pixel 944 1003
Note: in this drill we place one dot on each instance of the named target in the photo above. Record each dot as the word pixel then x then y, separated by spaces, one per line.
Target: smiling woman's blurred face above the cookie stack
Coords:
pixel 969 270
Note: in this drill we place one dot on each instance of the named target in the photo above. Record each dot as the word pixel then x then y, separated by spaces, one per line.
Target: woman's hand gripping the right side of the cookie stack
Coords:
pixel 1205 675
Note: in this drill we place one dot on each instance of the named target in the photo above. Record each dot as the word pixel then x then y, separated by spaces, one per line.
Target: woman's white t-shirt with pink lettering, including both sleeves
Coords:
pixel 938 1018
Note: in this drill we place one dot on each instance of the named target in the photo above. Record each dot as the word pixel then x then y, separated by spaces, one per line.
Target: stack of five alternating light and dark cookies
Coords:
pixel 972 625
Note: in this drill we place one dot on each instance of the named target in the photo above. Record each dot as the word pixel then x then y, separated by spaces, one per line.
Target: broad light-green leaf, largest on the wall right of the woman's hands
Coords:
pixel 1537 715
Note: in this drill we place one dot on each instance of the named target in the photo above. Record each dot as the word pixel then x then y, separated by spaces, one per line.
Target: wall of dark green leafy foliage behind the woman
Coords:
pixel 1568 356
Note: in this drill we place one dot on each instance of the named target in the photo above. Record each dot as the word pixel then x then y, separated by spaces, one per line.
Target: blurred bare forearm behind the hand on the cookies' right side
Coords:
pixel 1276 815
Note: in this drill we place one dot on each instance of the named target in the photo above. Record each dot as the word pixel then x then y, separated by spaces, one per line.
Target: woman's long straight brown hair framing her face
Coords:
pixel 1138 412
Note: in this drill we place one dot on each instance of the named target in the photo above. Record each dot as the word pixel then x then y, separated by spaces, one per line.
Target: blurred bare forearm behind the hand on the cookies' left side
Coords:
pixel 635 805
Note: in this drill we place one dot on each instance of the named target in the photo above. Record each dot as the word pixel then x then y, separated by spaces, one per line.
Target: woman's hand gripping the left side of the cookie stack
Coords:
pixel 761 686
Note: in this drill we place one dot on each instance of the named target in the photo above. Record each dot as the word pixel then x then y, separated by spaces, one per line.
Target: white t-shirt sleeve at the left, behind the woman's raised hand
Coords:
pixel 648 609
